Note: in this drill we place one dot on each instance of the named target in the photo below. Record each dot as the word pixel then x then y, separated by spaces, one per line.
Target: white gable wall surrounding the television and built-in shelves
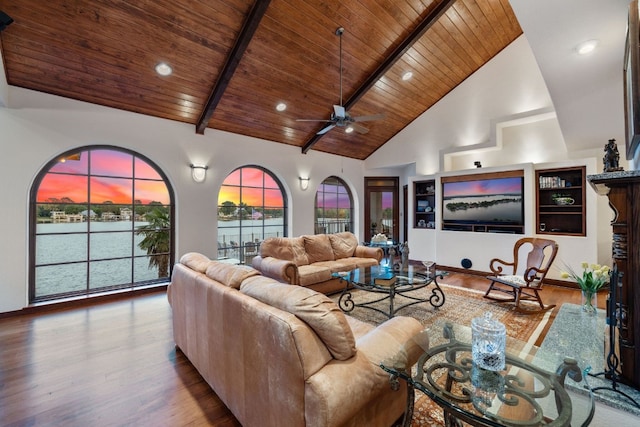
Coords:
pixel 503 116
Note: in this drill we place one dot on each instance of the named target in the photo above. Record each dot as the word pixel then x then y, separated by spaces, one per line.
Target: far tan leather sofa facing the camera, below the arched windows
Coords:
pixel 309 261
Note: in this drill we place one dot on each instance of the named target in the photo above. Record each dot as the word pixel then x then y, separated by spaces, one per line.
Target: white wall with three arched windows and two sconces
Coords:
pixel 39 127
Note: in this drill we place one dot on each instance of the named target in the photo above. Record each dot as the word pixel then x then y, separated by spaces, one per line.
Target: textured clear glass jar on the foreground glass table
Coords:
pixel 488 341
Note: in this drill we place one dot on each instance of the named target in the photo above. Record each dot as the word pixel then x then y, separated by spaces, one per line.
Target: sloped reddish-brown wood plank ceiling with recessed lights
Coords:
pixel 104 52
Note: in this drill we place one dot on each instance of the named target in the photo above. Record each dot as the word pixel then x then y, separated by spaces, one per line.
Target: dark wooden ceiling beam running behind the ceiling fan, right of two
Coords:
pixel 402 48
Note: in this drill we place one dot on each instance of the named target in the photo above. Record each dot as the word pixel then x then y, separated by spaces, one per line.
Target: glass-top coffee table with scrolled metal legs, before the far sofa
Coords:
pixel 388 284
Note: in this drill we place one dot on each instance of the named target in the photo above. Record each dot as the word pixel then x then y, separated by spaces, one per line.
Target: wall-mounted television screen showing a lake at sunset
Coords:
pixel 489 201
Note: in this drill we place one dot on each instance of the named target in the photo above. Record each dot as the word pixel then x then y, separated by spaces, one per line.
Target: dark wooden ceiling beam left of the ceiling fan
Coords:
pixel 246 34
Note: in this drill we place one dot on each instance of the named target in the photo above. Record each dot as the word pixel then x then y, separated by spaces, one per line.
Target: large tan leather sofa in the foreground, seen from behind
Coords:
pixel 282 355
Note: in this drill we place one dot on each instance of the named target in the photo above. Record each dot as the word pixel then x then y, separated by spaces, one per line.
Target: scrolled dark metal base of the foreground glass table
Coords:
pixel 473 395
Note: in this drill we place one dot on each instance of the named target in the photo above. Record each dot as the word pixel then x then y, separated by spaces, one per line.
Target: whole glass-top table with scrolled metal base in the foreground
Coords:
pixel 536 388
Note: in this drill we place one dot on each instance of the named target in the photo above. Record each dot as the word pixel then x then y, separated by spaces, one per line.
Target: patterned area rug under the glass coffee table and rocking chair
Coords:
pixel 460 306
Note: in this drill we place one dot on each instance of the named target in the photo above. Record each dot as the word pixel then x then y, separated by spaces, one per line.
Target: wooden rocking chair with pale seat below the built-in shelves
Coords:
pixel 524 280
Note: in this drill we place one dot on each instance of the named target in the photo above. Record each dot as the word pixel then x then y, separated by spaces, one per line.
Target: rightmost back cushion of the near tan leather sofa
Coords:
pixel 317 310
